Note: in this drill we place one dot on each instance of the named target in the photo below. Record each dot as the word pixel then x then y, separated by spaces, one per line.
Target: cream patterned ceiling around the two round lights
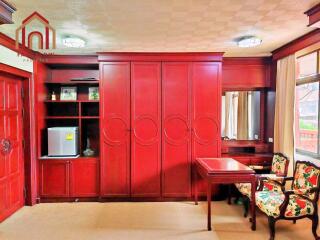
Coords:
pixel 169 25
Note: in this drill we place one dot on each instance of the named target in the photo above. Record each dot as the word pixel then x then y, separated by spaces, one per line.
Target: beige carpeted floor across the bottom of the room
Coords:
pixel 139 221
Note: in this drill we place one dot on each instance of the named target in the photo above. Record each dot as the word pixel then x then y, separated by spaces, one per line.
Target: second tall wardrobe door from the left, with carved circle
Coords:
pixel 146 129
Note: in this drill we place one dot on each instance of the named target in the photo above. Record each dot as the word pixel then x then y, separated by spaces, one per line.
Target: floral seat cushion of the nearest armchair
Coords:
pixel 270 202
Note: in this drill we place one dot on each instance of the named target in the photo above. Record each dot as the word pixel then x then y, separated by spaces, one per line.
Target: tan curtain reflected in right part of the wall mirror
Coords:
pixel 243 122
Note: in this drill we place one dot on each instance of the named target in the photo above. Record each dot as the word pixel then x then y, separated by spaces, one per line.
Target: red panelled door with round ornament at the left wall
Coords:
pixel 11 151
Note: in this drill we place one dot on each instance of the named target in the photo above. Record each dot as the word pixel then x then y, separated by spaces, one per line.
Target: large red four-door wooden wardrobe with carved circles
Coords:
pixel 158 113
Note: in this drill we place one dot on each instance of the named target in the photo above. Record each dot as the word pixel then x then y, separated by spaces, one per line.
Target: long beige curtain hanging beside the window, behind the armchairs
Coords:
pixel 284 109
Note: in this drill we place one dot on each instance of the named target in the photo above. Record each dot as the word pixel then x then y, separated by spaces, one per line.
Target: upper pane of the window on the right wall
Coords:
pixel 307 65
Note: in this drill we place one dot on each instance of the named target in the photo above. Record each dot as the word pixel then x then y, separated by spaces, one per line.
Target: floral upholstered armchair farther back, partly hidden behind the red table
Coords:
pixel 279 167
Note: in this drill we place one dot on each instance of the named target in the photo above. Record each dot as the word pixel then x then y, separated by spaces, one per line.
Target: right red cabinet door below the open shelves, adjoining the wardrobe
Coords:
pixel 84 180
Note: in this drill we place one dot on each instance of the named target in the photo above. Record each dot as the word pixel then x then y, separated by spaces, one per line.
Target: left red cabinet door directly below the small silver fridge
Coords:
pixel 54 178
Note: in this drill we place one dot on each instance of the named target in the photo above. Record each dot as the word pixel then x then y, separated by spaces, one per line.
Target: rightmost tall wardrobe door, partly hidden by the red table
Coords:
pixel 206 98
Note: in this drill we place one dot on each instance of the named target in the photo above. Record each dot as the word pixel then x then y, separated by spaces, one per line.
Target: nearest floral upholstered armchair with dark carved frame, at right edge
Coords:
pixel 299 202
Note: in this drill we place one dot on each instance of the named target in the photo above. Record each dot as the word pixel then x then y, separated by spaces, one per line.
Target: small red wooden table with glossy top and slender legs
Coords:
pixel 224 171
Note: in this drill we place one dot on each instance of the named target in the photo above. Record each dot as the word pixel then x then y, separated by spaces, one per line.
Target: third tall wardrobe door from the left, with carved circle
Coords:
pixel 176 145
